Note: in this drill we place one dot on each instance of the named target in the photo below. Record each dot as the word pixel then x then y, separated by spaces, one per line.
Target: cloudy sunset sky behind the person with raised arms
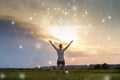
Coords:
pixel 26 26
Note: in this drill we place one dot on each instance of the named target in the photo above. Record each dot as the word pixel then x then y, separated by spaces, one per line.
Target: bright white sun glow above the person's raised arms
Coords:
pixel 64 33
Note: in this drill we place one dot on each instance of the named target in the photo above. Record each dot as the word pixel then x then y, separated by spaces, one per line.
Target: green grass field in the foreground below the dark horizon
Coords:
pixel 51 75
